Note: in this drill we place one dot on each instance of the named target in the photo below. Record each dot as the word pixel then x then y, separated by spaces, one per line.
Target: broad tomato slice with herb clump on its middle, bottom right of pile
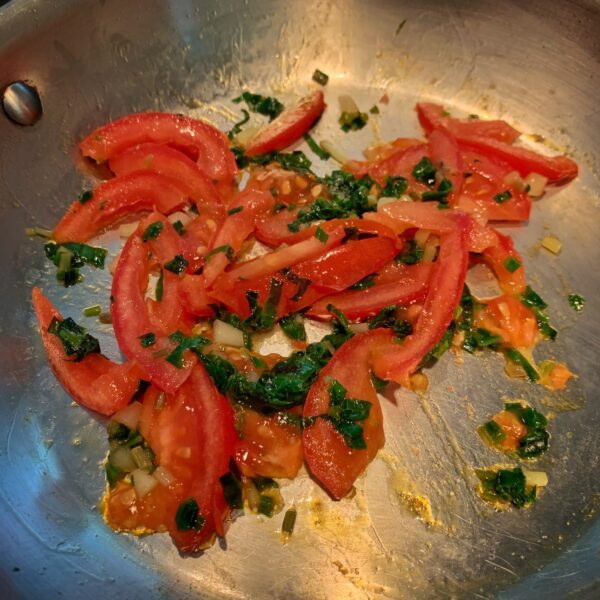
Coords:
pixel 329 459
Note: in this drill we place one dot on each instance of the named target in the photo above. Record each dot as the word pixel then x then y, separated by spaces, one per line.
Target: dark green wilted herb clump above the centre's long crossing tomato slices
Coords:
pixel 349 197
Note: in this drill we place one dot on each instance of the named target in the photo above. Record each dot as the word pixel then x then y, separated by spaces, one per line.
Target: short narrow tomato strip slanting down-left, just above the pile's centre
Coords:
pixel 234 231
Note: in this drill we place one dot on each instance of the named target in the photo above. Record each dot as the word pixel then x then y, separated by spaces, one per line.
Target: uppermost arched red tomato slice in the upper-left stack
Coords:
pixel 214 156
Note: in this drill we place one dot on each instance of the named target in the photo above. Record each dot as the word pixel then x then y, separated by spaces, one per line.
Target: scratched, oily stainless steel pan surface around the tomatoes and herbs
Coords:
pixel 537 65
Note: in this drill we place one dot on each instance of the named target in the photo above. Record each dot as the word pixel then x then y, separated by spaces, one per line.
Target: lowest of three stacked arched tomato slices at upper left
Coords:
pixel 118 199
